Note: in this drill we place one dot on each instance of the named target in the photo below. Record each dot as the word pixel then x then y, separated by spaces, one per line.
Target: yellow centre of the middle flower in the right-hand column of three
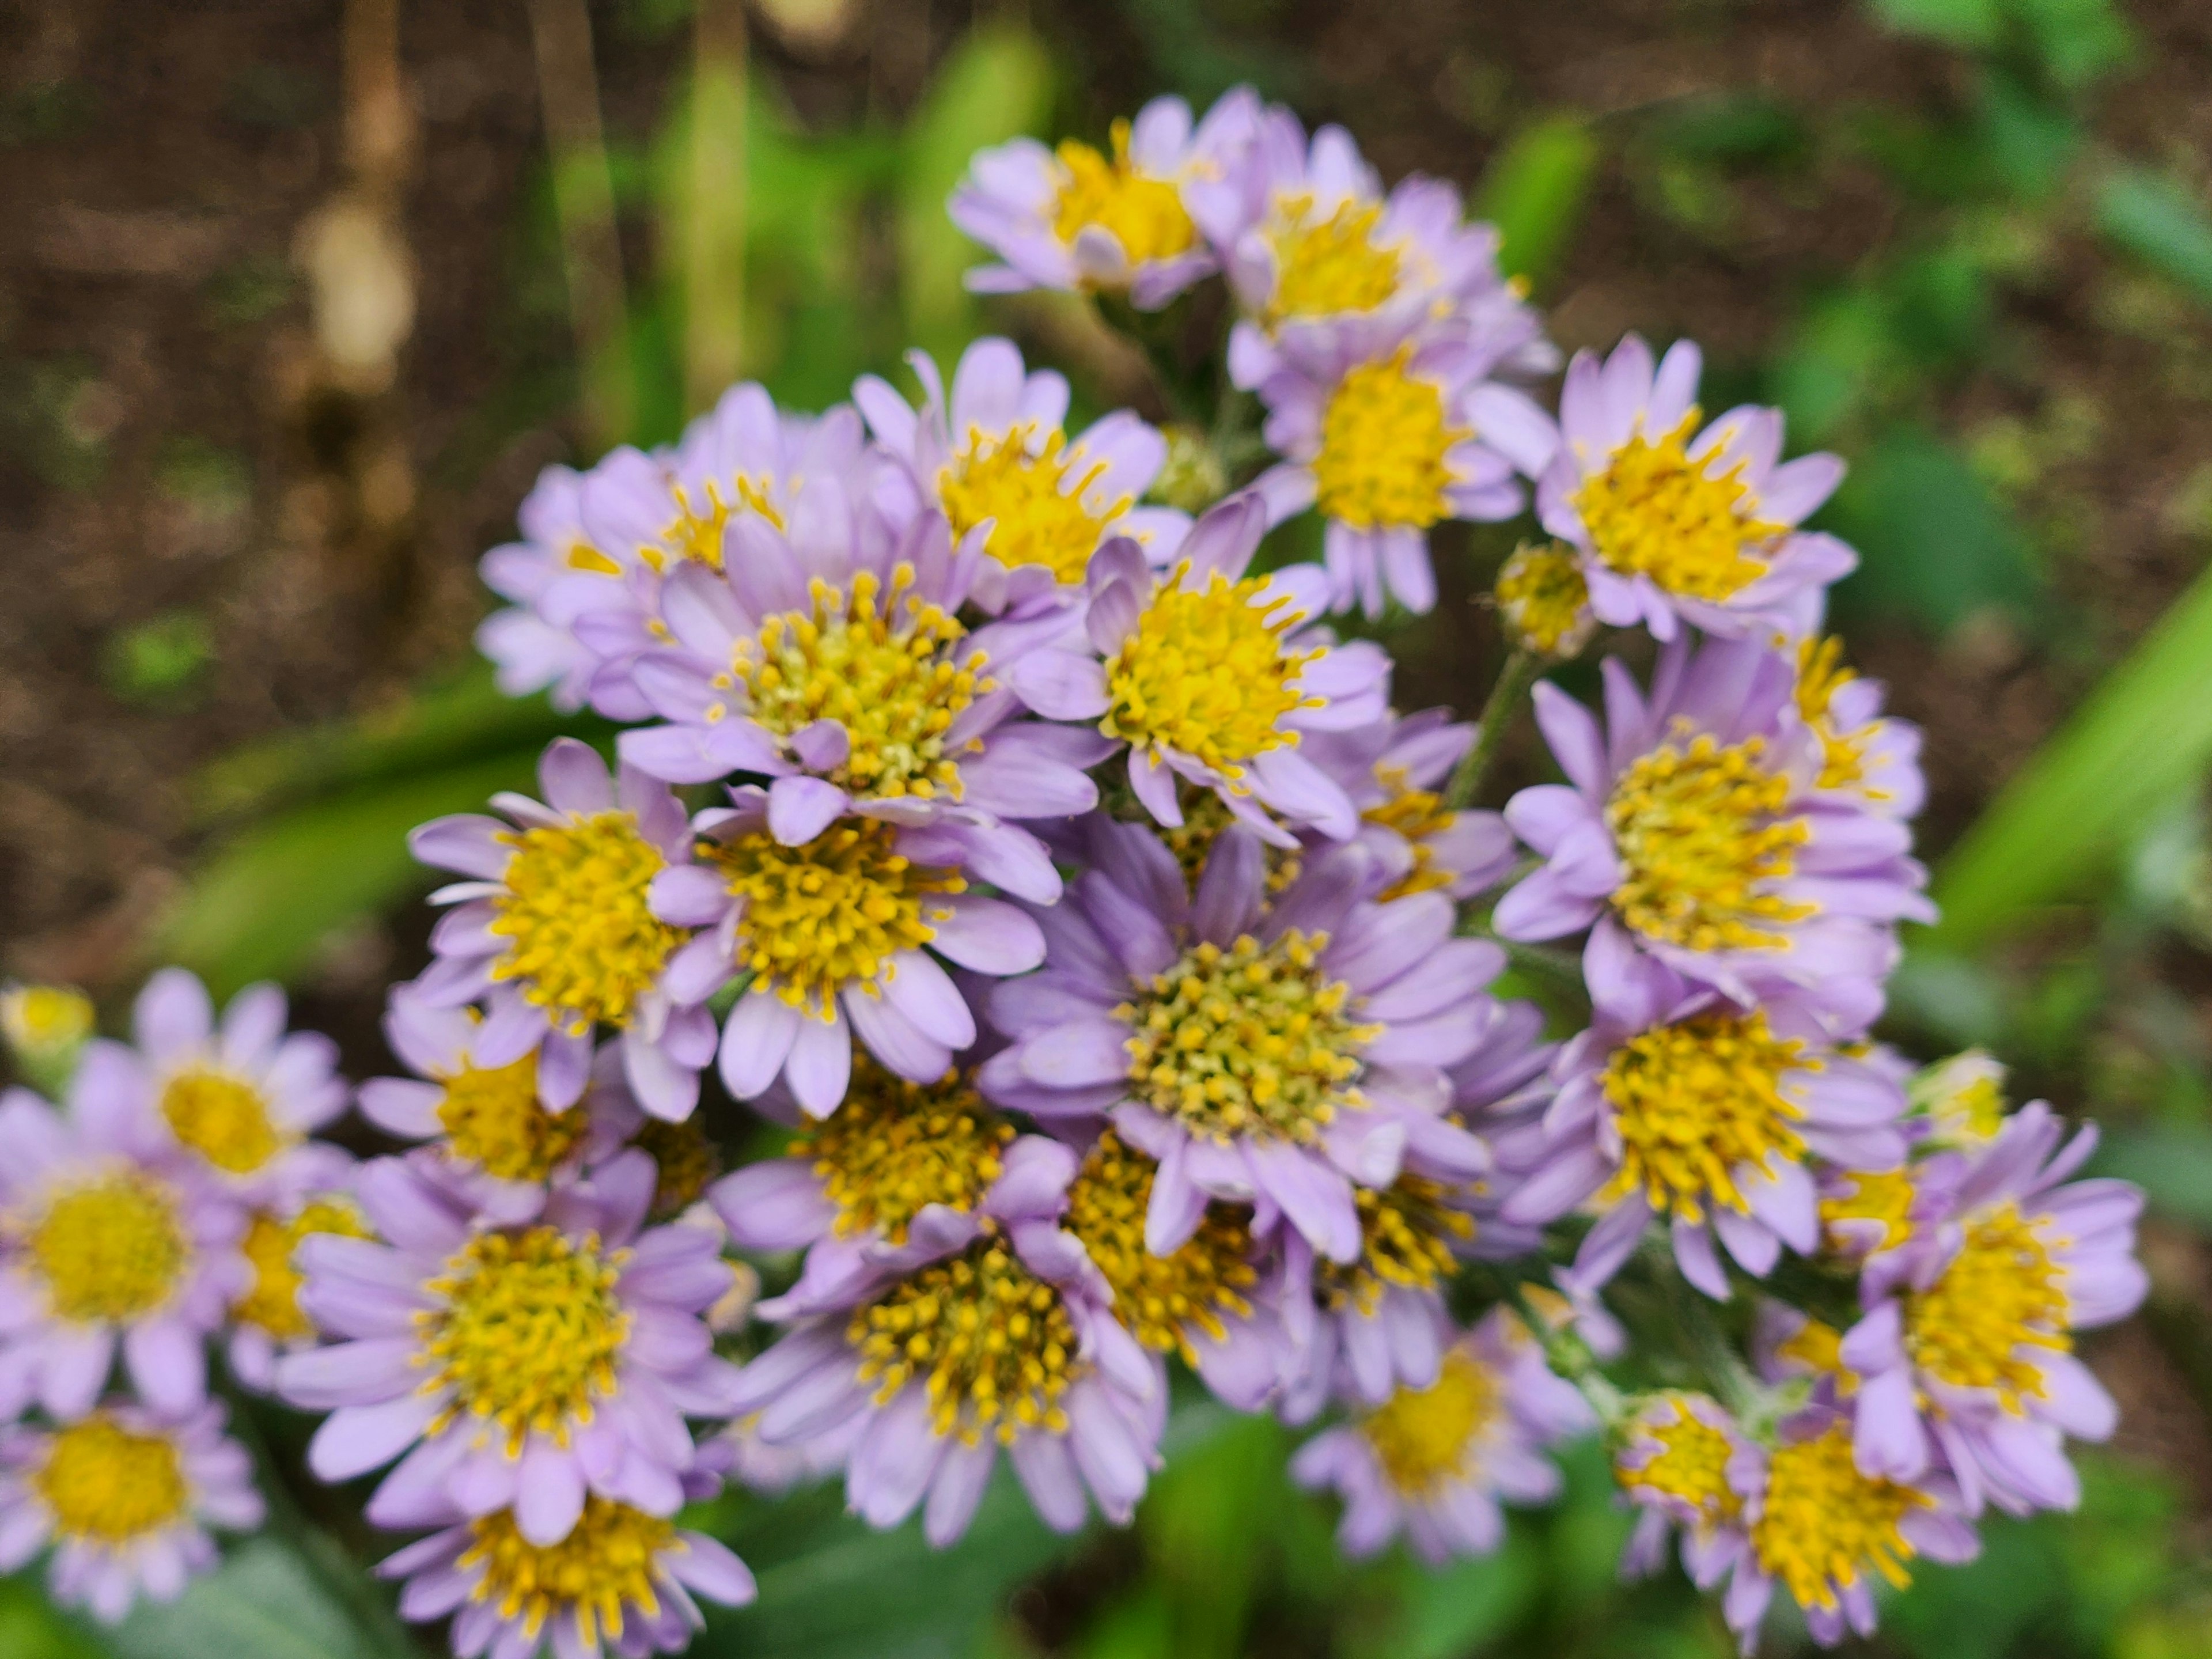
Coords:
pixel 1700 842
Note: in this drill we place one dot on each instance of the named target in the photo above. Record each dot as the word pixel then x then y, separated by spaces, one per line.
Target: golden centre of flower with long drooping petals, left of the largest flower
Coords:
pixel 833 912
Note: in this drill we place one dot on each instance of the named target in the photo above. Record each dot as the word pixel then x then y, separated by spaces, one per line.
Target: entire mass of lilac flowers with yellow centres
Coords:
pixel 1120 974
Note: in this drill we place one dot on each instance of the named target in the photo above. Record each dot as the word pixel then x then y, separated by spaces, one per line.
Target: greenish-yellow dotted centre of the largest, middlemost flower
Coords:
pixel 1251 1041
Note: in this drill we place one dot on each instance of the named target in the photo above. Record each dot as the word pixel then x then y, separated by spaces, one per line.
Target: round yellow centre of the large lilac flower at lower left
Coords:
pixel 530 1331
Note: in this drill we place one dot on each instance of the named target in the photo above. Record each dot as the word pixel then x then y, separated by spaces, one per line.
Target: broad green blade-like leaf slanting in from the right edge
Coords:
pixel 2060 826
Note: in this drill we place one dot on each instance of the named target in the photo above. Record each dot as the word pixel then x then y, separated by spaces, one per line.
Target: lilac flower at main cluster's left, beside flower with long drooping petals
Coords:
pixel 554 932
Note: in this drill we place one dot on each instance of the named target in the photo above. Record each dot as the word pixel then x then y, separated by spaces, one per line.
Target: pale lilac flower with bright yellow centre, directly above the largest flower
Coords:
pixel 1213 676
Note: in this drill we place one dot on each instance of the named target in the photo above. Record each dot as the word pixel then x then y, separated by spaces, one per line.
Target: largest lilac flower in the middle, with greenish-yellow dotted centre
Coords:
pixel 1269 1054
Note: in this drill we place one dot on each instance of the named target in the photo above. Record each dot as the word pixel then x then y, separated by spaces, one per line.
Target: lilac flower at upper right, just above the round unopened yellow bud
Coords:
pixel 1676 523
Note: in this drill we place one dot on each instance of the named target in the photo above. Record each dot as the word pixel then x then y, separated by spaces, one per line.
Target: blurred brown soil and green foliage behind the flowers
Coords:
pixel 300 295
